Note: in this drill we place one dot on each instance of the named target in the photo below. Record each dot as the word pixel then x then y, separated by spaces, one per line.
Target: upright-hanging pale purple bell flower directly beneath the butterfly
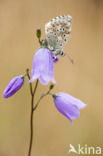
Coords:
pixel 43 66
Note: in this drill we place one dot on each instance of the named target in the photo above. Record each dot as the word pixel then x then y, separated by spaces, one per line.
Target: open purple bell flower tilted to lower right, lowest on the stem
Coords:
pixel 68 105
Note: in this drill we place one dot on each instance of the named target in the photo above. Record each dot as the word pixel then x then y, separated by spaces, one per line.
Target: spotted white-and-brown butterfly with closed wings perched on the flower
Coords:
pixel 57 33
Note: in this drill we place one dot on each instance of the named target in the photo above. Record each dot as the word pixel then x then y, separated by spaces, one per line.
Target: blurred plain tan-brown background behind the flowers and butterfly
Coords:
pixel 53 133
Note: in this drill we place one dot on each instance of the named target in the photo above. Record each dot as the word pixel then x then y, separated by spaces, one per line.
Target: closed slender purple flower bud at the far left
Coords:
pixel 14 85
